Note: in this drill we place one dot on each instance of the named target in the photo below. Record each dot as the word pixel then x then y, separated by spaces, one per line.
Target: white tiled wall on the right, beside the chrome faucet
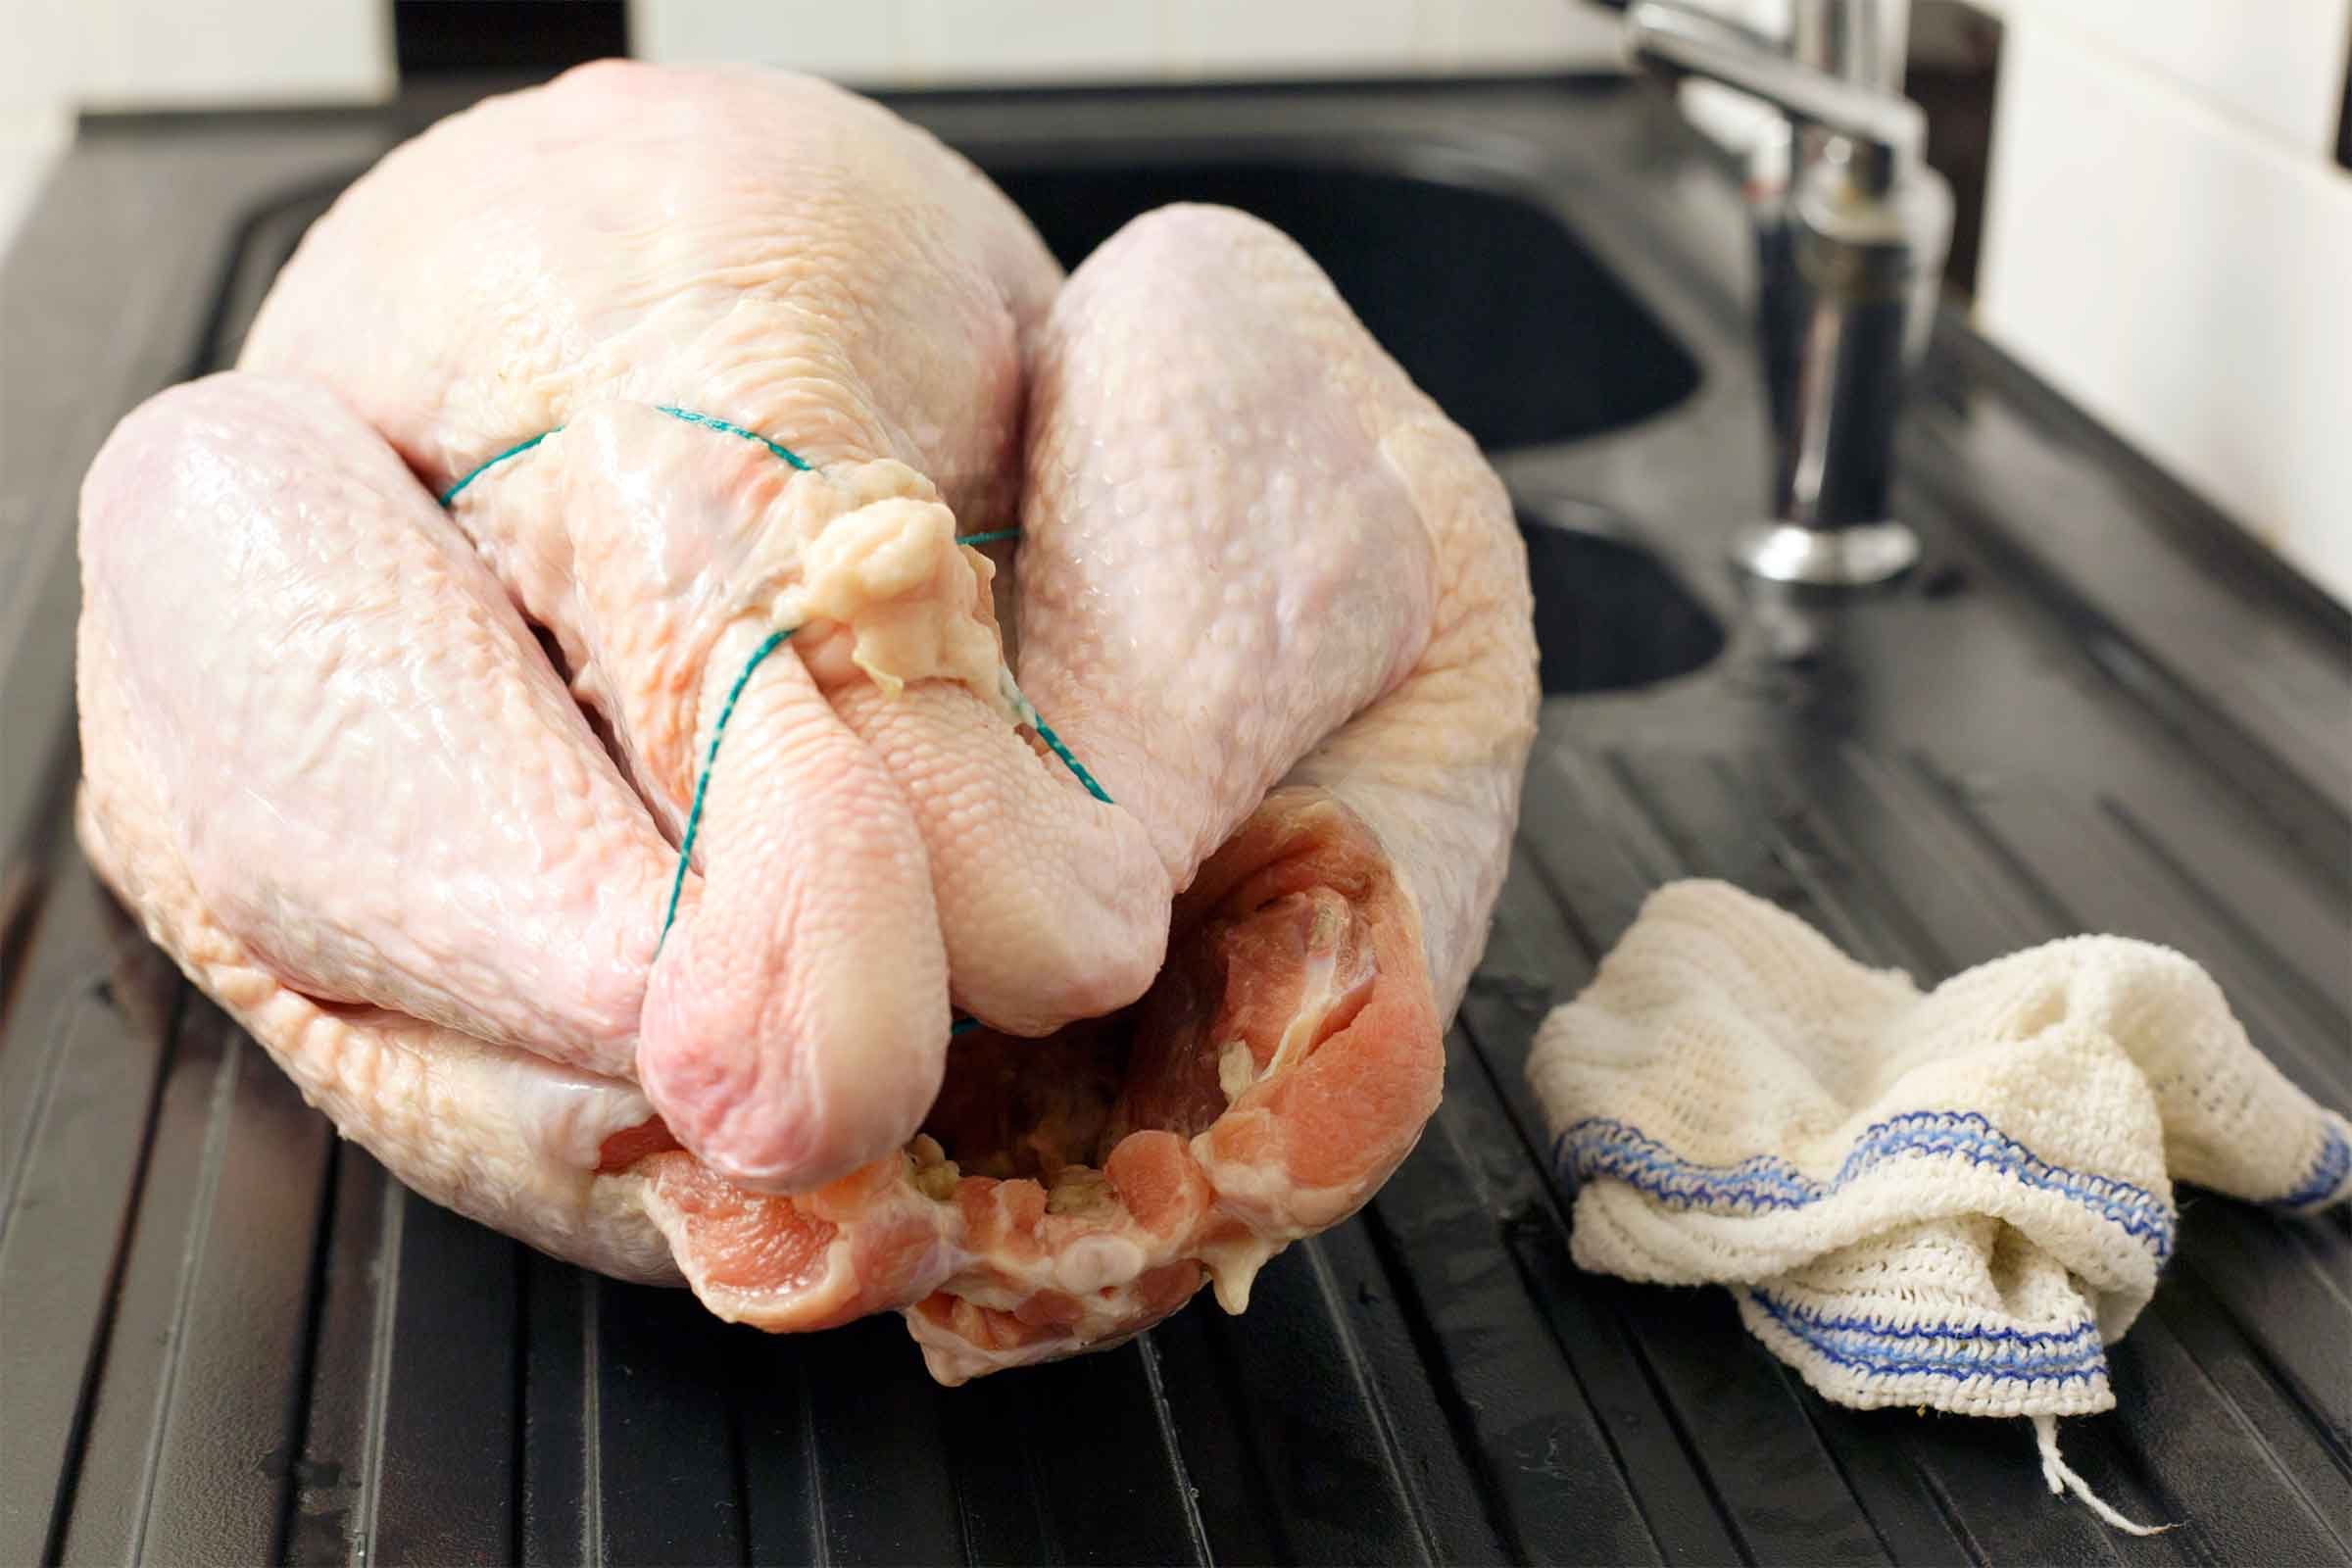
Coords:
pixel 2170 243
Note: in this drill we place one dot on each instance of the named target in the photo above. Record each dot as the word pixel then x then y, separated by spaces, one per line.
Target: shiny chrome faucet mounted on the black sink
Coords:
pixel 1852 232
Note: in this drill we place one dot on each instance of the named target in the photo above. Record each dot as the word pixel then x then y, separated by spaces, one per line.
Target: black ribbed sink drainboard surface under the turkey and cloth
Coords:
pixel 2094 706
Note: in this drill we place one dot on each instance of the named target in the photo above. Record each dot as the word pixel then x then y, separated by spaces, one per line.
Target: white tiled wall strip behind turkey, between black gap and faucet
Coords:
pixel 1062 41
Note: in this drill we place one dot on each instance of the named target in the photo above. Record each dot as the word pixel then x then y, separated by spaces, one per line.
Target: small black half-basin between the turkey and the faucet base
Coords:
pixel 1608 612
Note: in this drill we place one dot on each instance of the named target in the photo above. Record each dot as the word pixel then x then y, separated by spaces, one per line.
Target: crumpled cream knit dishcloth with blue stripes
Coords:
pixel 1946 1200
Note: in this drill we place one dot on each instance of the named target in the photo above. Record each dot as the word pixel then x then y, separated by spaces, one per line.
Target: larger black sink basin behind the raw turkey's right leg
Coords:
pixel 1490 304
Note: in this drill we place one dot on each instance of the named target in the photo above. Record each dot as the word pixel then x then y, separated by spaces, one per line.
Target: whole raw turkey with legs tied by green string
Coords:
pixel 1267 591
